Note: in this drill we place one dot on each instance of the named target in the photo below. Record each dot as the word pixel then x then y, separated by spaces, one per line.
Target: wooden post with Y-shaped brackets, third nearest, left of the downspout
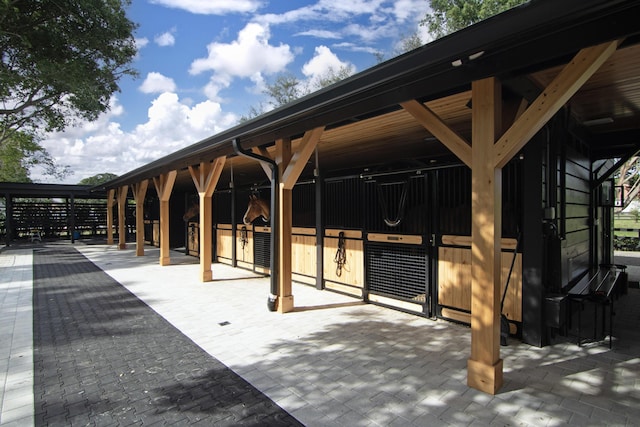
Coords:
pixel 205 177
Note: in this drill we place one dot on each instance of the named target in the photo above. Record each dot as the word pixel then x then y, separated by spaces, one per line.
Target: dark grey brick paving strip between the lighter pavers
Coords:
pixel 103 357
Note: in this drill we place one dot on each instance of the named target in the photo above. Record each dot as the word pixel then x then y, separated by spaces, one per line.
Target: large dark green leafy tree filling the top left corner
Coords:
pixel 61 61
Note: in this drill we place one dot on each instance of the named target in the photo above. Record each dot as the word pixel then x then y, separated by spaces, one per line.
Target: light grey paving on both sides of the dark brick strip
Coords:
pixel 338 362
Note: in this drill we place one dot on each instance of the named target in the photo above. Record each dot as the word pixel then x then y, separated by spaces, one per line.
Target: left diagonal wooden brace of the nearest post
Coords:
pixel 432 123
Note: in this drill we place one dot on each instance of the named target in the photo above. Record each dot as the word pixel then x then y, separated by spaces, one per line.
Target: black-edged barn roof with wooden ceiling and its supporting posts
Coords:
pixel 479 95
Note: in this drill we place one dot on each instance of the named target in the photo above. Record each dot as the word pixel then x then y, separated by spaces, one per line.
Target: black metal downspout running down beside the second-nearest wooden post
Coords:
pixel 273 296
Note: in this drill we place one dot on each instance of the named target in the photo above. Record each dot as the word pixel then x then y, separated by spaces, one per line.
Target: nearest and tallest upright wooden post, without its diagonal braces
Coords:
pixel 484 367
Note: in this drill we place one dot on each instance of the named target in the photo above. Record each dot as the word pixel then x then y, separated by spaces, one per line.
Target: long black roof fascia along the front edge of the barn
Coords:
pixel 536 34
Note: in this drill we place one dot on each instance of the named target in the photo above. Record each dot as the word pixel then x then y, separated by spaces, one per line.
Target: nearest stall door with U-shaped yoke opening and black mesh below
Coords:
pixel 397 220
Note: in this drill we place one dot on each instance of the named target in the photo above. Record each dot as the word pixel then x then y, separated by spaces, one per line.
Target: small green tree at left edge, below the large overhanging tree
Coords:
pixel 19 153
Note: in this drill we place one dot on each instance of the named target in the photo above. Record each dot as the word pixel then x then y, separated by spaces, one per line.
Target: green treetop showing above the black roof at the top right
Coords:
pixel 448 16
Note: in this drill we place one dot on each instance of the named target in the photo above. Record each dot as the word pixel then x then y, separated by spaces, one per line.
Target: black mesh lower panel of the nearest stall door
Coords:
pixel 398 271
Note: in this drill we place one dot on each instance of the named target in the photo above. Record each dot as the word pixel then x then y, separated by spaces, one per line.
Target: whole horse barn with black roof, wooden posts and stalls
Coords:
pixel 428 182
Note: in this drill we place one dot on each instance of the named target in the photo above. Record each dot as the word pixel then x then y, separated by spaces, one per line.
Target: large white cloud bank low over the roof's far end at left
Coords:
pixel 102 146
